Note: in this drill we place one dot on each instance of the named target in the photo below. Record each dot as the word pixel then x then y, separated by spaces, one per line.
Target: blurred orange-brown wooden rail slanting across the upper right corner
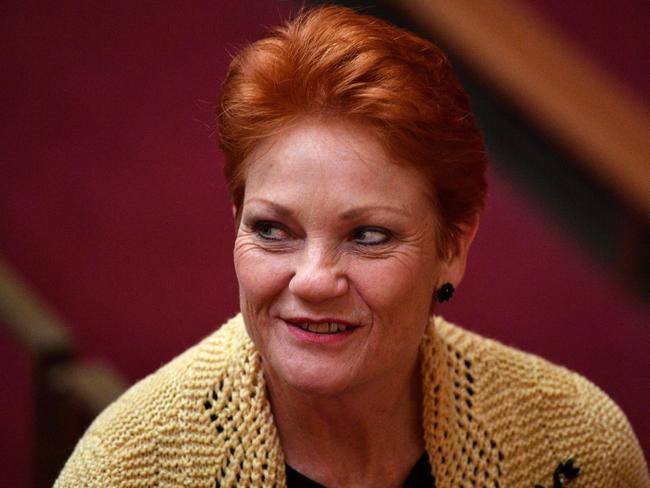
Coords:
pixel 546 77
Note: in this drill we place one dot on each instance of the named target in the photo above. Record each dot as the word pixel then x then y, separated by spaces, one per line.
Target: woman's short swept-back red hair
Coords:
pixel 334 62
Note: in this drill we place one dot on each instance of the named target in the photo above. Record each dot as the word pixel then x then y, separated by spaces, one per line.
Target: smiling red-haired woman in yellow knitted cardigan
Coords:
pixel 356 174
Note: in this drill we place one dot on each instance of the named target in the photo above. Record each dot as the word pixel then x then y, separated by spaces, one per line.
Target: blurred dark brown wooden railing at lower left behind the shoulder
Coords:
pixel 68 394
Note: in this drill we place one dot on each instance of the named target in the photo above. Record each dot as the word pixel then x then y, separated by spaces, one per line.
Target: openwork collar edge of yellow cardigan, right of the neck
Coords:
pixel 455 433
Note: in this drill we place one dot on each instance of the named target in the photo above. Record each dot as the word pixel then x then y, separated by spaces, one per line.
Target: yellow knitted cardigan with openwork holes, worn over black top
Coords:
pixel 493 417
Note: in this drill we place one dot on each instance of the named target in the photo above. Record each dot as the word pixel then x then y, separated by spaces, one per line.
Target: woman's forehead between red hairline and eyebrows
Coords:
pixel 336 160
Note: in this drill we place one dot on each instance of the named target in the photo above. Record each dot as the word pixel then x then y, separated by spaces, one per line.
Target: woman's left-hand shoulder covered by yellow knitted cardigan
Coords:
pixel 134 436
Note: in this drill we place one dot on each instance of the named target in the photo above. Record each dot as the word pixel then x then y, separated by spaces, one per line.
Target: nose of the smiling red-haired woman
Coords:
pixel 317 276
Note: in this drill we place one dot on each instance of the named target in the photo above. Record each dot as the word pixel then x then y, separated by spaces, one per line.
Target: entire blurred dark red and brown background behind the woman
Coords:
pixel 115 229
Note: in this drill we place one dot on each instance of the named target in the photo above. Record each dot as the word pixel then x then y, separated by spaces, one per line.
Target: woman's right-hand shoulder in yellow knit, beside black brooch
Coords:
pixel 544 414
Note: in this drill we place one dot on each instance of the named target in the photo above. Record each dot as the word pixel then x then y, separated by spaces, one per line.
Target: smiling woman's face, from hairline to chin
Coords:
pixel 336 260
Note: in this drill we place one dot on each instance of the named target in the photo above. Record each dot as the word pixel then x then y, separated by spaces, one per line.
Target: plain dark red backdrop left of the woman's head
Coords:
pixel 111 199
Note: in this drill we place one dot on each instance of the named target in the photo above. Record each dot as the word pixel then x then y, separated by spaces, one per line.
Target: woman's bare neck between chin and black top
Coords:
pixel 351 438
